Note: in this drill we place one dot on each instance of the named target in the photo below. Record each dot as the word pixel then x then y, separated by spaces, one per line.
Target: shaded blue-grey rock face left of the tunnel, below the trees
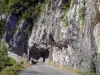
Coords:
pixel 16 37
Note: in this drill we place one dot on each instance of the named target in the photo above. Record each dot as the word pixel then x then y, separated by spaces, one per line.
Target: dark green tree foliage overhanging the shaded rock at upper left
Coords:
pixel 22 9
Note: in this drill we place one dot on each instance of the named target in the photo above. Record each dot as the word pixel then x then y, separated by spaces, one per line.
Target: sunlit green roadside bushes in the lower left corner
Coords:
pixel 8 66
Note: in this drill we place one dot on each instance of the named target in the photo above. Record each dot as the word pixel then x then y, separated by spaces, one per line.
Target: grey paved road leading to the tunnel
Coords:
pixel 44 69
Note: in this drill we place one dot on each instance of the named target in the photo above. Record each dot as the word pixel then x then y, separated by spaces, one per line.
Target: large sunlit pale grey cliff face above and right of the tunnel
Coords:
pixel 78 36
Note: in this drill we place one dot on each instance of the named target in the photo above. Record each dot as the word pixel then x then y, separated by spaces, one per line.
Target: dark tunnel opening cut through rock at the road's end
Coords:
pixel 37 53
